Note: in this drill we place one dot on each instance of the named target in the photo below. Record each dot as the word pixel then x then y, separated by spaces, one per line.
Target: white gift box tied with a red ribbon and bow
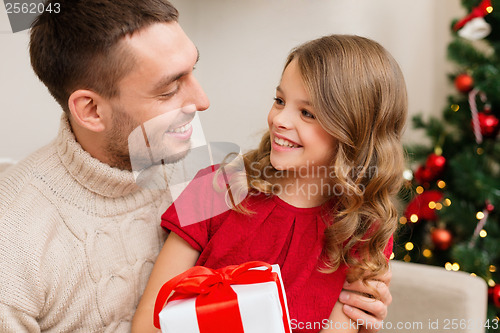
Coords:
pixel 248 298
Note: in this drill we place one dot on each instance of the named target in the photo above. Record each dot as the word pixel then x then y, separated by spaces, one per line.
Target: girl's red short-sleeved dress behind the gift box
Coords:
pixel 277 233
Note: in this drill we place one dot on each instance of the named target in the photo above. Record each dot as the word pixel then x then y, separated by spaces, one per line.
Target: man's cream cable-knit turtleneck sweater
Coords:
pixel 78 240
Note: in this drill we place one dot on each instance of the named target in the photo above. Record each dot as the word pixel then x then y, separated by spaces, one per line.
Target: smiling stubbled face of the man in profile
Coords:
pixel 157 99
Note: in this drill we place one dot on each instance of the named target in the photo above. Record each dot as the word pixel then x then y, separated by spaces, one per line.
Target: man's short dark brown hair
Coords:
pixel 79 48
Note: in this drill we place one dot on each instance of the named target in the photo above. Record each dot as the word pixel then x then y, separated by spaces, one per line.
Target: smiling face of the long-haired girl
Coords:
pixel 298 142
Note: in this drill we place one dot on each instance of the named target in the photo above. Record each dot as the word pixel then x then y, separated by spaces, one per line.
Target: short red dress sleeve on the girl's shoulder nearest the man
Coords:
pixel 191 214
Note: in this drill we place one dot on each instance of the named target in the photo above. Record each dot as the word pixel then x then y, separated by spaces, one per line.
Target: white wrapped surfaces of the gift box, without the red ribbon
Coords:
pixel 259 305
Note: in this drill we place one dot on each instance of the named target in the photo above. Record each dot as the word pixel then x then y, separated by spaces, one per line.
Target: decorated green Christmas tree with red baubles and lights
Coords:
pixel 451 198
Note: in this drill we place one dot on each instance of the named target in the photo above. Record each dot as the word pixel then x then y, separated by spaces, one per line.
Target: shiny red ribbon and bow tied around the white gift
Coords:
pixel 217 307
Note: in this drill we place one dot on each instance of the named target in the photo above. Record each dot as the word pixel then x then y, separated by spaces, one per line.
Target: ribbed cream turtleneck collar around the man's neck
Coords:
pixel 94 175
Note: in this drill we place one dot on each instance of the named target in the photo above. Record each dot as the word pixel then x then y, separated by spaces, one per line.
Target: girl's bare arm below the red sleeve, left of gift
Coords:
pixel 176 257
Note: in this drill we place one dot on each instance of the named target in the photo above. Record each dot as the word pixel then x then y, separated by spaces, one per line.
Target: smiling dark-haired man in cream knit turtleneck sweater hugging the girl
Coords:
pixel 79 236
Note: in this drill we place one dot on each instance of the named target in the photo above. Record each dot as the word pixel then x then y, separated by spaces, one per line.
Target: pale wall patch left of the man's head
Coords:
pixel 29 117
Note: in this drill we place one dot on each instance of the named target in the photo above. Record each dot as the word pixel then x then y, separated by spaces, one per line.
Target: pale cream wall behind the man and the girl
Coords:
pixel 243 45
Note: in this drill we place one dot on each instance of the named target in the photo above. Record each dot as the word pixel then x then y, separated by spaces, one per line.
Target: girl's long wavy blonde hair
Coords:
pixel 359 97
